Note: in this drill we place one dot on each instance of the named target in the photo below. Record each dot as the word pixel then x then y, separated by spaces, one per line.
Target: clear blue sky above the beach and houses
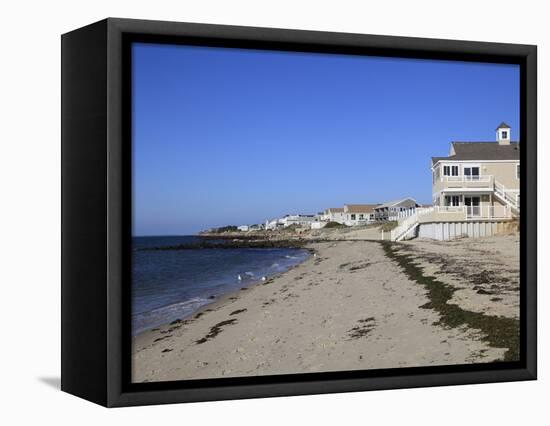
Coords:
pixel 234 136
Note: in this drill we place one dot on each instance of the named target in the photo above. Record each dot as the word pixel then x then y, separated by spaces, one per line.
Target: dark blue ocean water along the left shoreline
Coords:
pixel 172 284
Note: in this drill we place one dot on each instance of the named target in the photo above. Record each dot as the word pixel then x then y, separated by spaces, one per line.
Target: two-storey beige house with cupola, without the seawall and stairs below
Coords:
pixel 478 179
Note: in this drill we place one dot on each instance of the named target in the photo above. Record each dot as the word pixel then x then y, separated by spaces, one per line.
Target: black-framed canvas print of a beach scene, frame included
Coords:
pixel 252 212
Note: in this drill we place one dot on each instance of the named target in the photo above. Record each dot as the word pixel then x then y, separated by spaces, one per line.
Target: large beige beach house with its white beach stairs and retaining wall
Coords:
pixel 475 192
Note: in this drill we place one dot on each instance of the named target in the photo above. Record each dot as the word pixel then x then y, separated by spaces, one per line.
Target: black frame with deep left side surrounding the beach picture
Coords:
pixel 96 207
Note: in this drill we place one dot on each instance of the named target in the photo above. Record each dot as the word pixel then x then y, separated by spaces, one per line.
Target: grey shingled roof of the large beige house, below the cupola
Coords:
pixel 482 151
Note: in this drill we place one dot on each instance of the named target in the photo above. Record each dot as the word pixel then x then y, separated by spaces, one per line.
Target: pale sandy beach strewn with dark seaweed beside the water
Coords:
pixel 350 306
